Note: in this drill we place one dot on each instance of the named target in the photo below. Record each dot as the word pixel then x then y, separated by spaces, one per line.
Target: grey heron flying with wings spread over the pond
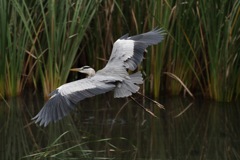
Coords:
pixel 127 54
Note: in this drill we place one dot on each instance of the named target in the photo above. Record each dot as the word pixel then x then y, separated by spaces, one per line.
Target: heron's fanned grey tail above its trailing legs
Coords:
pixel 128 86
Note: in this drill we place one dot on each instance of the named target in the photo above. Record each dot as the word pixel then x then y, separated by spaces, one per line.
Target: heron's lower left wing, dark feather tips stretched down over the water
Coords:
pixel 65 97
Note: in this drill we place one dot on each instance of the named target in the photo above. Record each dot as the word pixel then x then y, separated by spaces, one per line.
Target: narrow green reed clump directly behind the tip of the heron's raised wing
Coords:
pixel 159 14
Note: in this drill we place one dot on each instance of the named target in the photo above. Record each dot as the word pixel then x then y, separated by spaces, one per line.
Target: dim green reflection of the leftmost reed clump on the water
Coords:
pixel 14 140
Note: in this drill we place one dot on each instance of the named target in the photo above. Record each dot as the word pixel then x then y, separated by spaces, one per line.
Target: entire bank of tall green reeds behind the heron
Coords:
pixel 200 47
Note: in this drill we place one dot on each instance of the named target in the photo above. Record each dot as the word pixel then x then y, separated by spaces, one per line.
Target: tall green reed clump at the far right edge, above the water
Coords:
pixel 219 27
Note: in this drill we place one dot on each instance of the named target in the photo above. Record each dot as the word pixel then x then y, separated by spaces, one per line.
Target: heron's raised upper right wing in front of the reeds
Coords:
pixel 129 50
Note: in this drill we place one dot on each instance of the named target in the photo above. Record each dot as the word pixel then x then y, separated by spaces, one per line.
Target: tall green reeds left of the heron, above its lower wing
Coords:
pixel 48 40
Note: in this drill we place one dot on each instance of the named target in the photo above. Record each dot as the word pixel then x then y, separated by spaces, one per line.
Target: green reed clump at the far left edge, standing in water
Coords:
pixel 15 38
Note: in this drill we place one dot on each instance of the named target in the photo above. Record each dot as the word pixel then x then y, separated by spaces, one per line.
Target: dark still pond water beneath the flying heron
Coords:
pixel 106 128
